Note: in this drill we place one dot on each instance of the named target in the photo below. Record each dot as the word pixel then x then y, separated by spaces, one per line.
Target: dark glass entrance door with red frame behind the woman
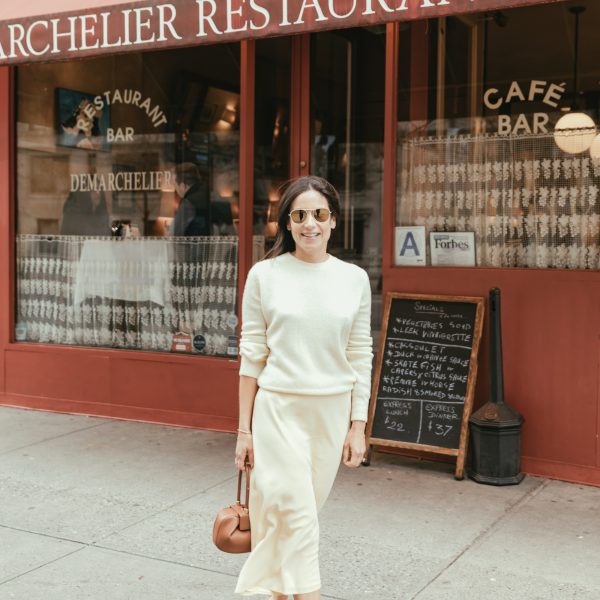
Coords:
pixel 320 110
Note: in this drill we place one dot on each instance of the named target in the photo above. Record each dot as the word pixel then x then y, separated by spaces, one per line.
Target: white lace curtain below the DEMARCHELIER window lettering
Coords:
pixel 73 290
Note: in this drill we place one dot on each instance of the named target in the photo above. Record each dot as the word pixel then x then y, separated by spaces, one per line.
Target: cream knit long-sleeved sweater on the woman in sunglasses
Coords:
pixel 306 329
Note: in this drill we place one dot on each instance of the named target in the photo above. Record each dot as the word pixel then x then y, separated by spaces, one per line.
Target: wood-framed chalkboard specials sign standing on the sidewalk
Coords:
pixel 425 374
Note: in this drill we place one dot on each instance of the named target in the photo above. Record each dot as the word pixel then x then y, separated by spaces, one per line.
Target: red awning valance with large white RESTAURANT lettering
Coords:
pixel 183 22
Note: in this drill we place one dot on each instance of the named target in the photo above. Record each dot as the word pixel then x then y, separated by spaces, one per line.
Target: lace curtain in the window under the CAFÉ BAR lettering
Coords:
pixel 529 203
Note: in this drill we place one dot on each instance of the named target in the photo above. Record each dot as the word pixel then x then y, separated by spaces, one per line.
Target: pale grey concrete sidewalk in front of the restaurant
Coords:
pixel 101 509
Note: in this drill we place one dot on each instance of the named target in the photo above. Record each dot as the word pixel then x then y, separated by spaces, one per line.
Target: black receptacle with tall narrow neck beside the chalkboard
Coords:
pixel 496 427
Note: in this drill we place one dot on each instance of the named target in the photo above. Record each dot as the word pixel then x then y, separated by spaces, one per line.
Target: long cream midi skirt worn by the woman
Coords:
pixel 298 444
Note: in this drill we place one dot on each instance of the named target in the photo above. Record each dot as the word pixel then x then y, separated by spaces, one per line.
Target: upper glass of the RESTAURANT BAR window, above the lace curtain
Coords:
pixel 119 127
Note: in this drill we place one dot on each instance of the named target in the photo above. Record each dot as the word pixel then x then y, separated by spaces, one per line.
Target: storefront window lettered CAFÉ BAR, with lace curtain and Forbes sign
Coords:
pixel 506 147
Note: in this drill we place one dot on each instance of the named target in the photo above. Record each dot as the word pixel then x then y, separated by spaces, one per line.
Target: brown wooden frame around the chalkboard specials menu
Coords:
pixel 461 451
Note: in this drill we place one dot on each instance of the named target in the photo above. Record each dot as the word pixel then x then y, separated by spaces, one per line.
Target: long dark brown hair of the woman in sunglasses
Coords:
pixel 284 242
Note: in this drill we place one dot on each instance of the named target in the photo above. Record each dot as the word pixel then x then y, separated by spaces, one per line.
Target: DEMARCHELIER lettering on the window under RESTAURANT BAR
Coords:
pixel 124 181
